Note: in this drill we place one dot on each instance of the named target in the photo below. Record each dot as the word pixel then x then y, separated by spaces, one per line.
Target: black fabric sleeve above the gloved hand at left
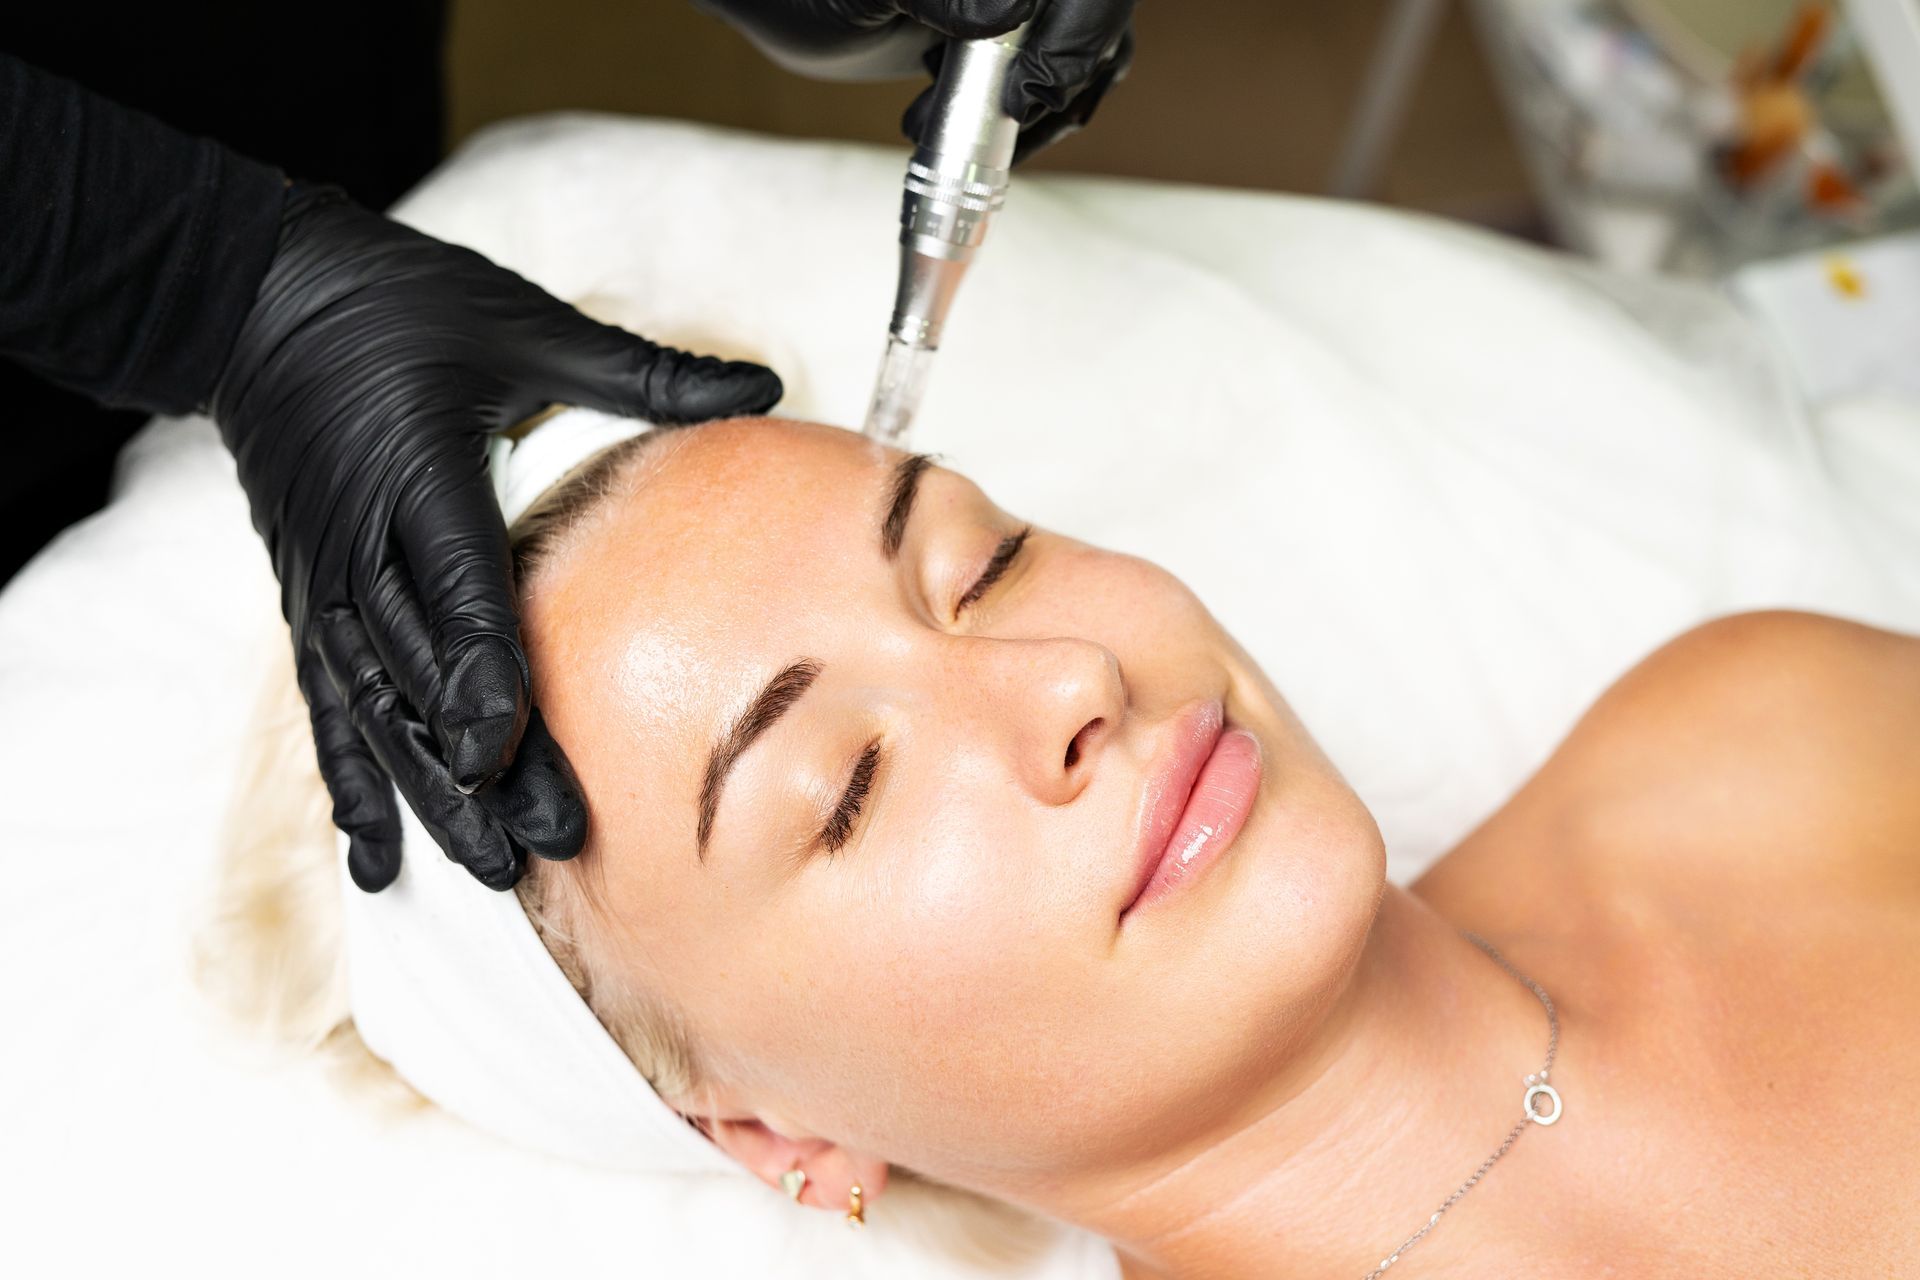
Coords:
pixel 130 252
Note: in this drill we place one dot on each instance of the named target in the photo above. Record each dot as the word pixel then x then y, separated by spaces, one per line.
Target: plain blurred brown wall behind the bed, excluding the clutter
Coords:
pixel 1241 93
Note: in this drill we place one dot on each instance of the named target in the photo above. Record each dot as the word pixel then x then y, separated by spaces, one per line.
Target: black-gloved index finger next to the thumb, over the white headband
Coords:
pixel 456 544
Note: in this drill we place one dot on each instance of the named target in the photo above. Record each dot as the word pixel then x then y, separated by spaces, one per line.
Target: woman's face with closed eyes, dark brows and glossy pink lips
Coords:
pixel 907 924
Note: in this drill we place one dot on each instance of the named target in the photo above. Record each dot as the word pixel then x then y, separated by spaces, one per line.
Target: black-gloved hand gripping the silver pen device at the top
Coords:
pixel 1078 49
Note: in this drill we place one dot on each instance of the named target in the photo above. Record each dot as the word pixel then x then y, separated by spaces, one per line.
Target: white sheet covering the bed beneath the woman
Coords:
pixel 1443 486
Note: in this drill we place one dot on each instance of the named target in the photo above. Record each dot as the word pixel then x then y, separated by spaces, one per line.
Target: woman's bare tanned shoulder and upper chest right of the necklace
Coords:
pixel 1721 874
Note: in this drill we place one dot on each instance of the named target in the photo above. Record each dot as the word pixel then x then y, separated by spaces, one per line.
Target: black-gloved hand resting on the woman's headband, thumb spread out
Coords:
pixel 358 404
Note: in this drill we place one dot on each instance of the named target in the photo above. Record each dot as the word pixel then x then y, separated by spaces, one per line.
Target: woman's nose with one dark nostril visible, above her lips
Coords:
pixel 1055 705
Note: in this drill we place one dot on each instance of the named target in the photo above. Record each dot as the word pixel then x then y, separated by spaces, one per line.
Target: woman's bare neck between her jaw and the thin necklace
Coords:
pixel 1410 1083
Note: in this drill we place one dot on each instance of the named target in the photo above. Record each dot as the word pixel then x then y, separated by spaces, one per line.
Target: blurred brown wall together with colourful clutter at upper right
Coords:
pixel 1654 135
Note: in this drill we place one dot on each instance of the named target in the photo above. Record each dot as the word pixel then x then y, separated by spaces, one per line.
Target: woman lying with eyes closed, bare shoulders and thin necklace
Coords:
pixel 926 840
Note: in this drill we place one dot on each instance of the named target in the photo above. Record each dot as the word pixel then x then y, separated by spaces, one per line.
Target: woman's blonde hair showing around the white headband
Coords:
pixel 270 951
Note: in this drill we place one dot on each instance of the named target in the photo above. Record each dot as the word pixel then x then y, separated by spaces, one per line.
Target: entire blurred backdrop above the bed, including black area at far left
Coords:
pixel 1652 135
